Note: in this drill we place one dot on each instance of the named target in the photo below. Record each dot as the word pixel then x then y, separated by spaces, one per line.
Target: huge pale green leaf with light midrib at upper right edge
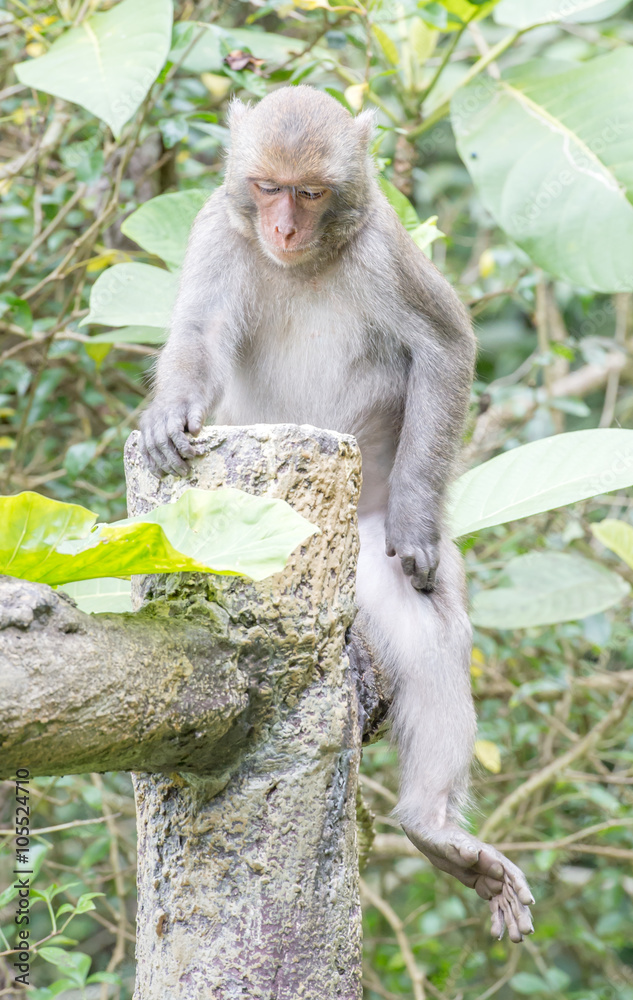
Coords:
pixel 551 155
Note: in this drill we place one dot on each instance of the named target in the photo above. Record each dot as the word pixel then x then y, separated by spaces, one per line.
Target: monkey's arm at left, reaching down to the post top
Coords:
pixel 192 368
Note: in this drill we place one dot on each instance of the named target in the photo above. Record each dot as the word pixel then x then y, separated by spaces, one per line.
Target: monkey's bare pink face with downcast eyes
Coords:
pixel 288 217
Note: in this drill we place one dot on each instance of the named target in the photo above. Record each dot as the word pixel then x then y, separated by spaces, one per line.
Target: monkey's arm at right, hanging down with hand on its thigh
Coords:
pixel 436 333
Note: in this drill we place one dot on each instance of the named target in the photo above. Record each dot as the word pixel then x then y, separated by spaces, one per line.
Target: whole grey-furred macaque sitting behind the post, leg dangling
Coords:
pixel 303 300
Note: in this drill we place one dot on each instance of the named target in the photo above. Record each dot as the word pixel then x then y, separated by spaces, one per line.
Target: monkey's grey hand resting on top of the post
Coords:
pixel 164 442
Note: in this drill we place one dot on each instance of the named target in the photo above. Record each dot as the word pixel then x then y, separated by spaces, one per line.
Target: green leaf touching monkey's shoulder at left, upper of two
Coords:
pixel 162 224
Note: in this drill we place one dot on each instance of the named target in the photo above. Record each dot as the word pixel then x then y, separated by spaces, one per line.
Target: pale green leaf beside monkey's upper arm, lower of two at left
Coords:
pixel 132 295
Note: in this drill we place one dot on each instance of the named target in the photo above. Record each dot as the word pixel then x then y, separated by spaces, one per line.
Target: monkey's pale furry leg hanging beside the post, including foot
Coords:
pixel 423 644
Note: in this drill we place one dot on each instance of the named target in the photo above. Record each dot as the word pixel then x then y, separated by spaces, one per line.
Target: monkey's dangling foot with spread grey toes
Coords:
pixel 484 869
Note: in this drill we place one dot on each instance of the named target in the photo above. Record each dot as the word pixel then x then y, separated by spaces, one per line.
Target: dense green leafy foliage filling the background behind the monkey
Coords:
pixel 510 123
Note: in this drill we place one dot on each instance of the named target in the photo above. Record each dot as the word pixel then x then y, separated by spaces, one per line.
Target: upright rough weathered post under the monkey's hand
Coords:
pixel 248 876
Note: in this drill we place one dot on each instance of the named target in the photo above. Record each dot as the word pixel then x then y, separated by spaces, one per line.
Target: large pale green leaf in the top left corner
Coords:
pixel 109 62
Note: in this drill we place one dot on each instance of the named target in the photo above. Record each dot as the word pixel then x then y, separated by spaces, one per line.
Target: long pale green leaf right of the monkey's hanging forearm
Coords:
pixel 540 476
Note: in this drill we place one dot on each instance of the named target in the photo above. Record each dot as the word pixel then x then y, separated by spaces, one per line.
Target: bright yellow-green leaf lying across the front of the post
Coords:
pixel 224 531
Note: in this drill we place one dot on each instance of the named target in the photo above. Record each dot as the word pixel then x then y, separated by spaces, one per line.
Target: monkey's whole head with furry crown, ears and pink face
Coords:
pixel 298 173
